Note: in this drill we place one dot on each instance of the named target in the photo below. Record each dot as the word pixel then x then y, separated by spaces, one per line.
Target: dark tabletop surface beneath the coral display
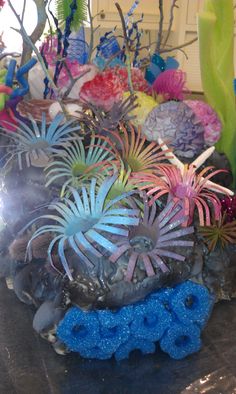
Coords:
pixel 30 366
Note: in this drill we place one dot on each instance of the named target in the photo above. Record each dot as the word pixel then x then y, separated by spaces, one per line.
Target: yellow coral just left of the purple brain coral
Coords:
pixel 145 105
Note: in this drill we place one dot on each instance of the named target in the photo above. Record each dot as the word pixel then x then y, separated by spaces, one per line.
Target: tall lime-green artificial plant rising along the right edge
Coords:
pixel 216 44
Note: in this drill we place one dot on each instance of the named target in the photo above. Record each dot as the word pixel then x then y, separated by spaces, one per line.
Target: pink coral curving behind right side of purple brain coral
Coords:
pixel 209 119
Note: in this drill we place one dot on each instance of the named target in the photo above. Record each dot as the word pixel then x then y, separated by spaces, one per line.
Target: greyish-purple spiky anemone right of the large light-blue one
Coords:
pixel 152 240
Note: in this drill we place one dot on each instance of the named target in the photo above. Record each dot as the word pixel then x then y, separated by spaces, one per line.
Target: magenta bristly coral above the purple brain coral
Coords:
pixel 171 84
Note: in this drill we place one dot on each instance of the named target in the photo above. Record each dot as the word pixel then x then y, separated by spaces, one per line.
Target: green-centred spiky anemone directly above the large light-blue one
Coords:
pixel 78 166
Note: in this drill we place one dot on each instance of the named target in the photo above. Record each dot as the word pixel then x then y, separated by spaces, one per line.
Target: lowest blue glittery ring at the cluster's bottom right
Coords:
pixel 180 340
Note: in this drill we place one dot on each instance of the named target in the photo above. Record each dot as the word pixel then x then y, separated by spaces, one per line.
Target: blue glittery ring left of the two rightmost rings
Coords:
pixel 150 320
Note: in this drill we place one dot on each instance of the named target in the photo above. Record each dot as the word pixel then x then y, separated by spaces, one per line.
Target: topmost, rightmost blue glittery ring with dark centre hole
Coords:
pixel 192 303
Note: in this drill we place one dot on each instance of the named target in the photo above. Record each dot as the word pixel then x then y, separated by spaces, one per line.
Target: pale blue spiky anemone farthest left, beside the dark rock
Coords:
pixel 36 143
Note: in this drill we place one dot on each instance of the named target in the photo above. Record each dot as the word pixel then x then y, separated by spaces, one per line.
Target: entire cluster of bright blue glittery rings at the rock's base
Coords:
pixel 174 316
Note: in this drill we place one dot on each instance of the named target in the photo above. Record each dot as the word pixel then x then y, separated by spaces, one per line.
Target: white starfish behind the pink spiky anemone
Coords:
pixel 197 163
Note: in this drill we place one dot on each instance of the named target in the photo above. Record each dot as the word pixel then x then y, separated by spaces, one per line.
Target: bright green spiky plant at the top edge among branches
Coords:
pixel 63 11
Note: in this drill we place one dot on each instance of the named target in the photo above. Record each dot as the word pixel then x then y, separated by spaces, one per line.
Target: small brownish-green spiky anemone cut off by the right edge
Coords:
pixel 220 233
